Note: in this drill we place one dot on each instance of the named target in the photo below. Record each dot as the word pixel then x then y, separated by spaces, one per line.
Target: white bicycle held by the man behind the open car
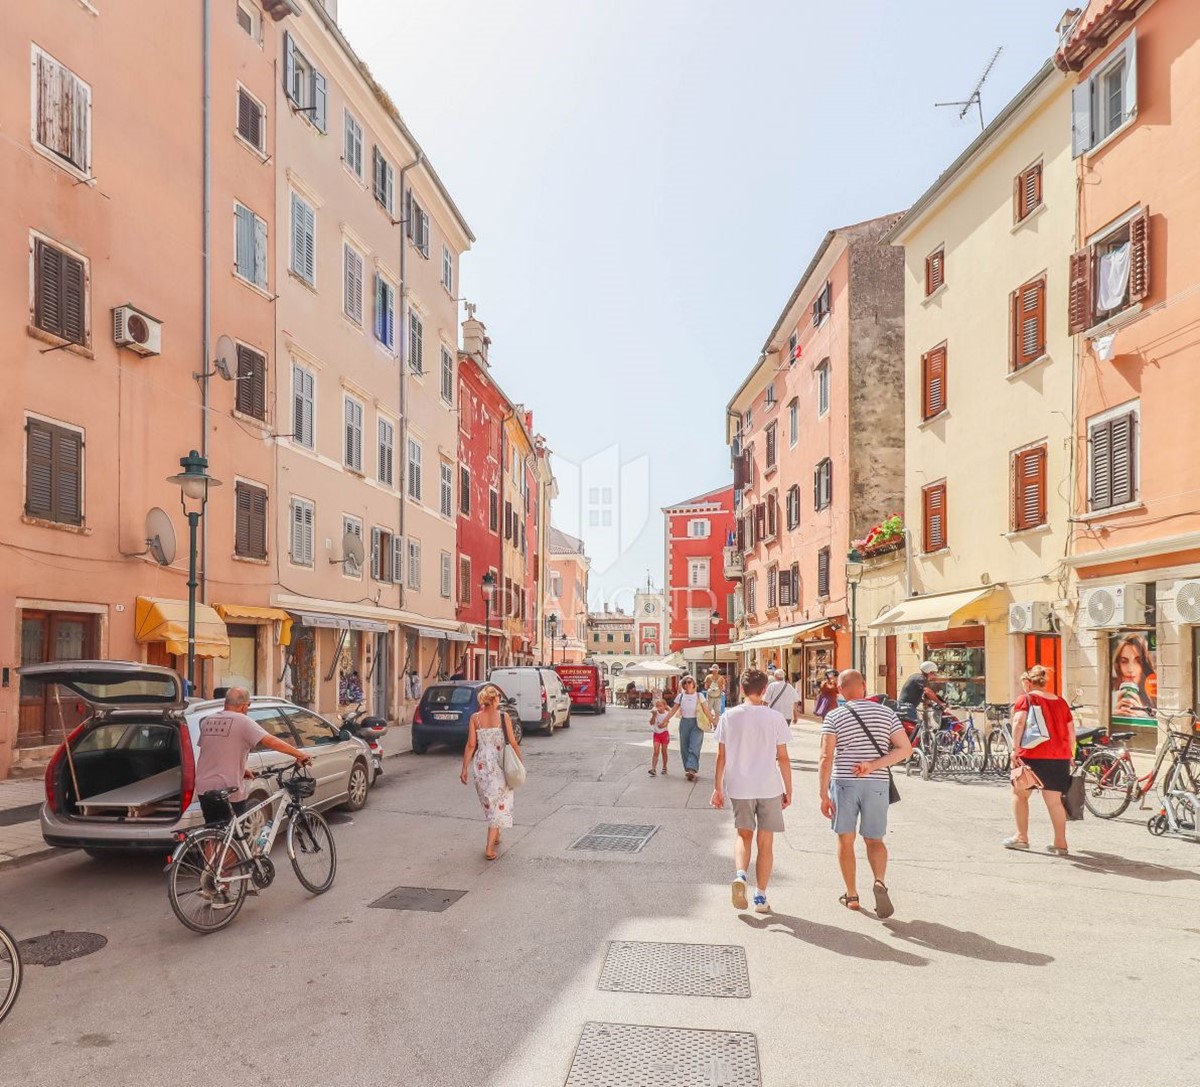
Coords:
pixel 212 867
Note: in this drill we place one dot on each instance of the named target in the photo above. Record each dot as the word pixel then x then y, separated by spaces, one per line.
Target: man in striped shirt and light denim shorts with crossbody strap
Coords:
pixel 860 741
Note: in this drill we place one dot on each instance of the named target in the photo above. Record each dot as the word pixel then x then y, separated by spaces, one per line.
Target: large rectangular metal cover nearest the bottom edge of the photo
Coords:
pixel 626 1055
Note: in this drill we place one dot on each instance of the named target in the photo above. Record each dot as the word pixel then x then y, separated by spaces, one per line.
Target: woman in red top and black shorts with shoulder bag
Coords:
pixel 1051 760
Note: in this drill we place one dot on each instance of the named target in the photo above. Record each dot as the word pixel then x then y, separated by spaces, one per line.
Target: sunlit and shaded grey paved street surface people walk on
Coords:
pixel 998 969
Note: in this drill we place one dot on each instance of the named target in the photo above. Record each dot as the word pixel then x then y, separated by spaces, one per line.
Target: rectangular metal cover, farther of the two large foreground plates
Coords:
pixel 676 970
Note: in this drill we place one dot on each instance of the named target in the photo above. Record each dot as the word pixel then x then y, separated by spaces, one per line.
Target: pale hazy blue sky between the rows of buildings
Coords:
pixel 647 181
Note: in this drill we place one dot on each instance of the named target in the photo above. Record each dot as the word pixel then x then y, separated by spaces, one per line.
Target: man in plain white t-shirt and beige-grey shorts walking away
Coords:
pixel 753 770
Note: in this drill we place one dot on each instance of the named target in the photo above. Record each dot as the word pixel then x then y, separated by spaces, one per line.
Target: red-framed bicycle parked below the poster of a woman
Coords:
pixel 1111 779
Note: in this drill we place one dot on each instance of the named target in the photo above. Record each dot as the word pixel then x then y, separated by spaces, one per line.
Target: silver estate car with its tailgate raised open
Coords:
pixel 125 778
